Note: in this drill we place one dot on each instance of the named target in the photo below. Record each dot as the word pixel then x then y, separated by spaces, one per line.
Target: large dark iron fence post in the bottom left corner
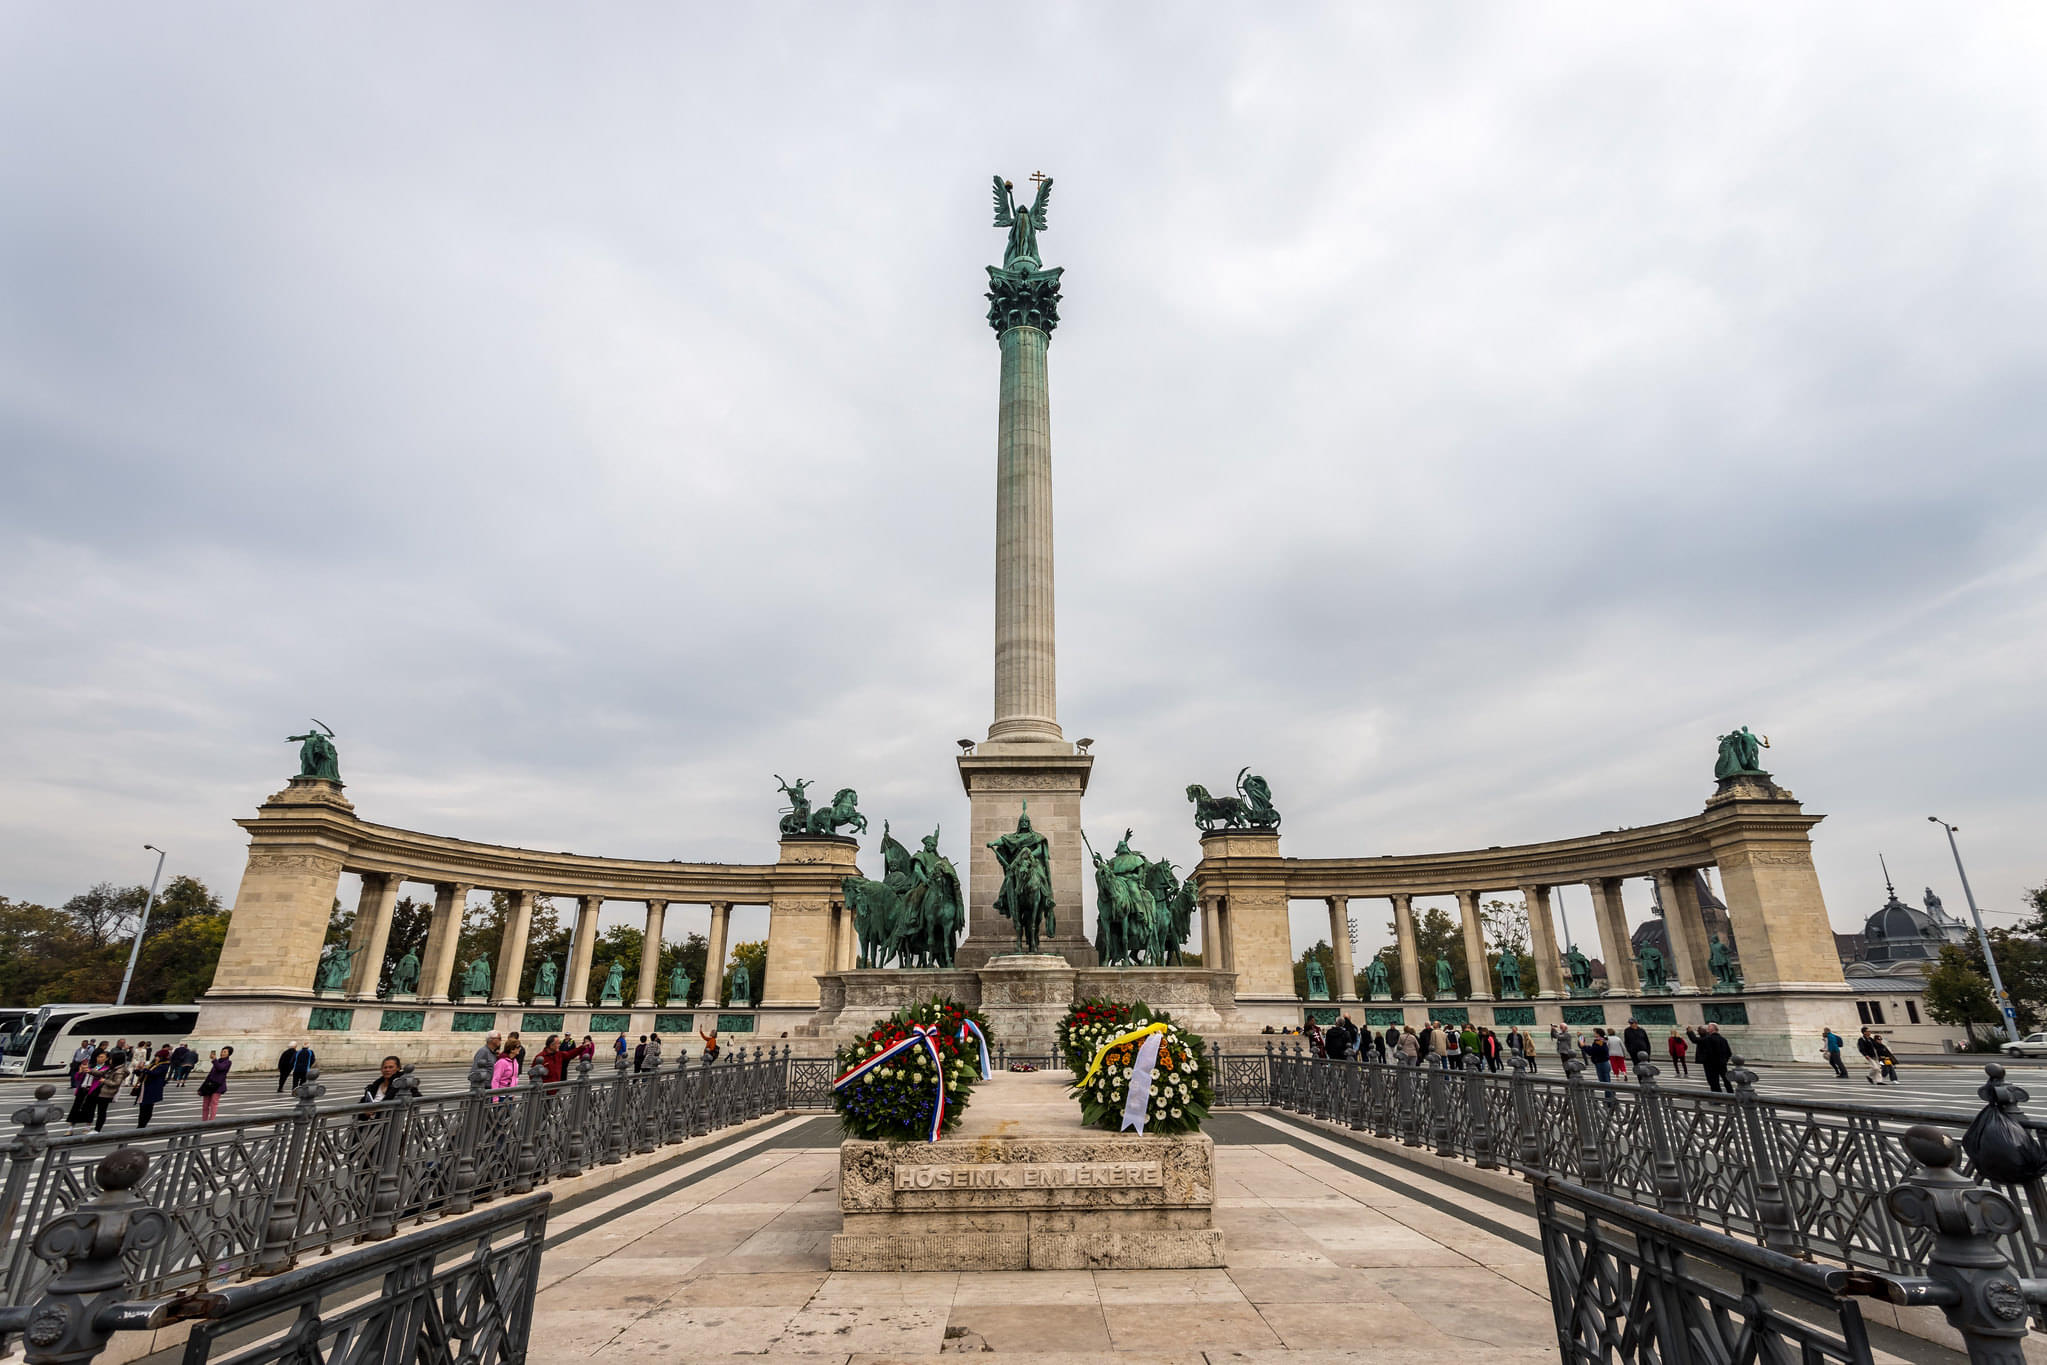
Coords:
pixel 81 1309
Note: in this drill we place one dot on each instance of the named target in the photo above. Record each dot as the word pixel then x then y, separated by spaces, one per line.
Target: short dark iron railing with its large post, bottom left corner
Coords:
pixel 458 1294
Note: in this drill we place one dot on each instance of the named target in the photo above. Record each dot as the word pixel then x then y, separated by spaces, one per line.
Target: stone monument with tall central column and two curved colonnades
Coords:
pixel 844 949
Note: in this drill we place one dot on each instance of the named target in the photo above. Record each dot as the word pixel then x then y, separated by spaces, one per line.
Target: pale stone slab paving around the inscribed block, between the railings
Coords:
pixel 1334 1256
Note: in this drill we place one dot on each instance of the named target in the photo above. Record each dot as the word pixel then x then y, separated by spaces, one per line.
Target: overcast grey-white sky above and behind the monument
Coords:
pixel 1458 416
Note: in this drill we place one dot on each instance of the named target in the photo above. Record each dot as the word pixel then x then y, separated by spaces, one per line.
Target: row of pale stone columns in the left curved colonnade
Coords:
pixel 372 944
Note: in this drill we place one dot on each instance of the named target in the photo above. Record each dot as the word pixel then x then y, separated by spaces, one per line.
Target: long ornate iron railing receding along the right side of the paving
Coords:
pixel 1802 1178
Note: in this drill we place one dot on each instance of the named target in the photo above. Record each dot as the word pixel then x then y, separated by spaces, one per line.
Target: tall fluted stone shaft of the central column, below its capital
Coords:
pixel 1027 691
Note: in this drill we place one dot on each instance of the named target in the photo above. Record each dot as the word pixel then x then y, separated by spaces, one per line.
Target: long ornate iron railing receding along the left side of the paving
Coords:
pixel 255 1194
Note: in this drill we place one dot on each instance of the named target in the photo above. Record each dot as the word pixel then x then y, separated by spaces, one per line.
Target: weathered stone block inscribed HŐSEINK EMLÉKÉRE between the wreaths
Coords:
pixel 1025 1188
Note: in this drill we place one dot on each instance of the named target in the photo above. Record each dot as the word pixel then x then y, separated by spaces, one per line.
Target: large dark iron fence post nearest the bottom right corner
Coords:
pixel 1968 1278
